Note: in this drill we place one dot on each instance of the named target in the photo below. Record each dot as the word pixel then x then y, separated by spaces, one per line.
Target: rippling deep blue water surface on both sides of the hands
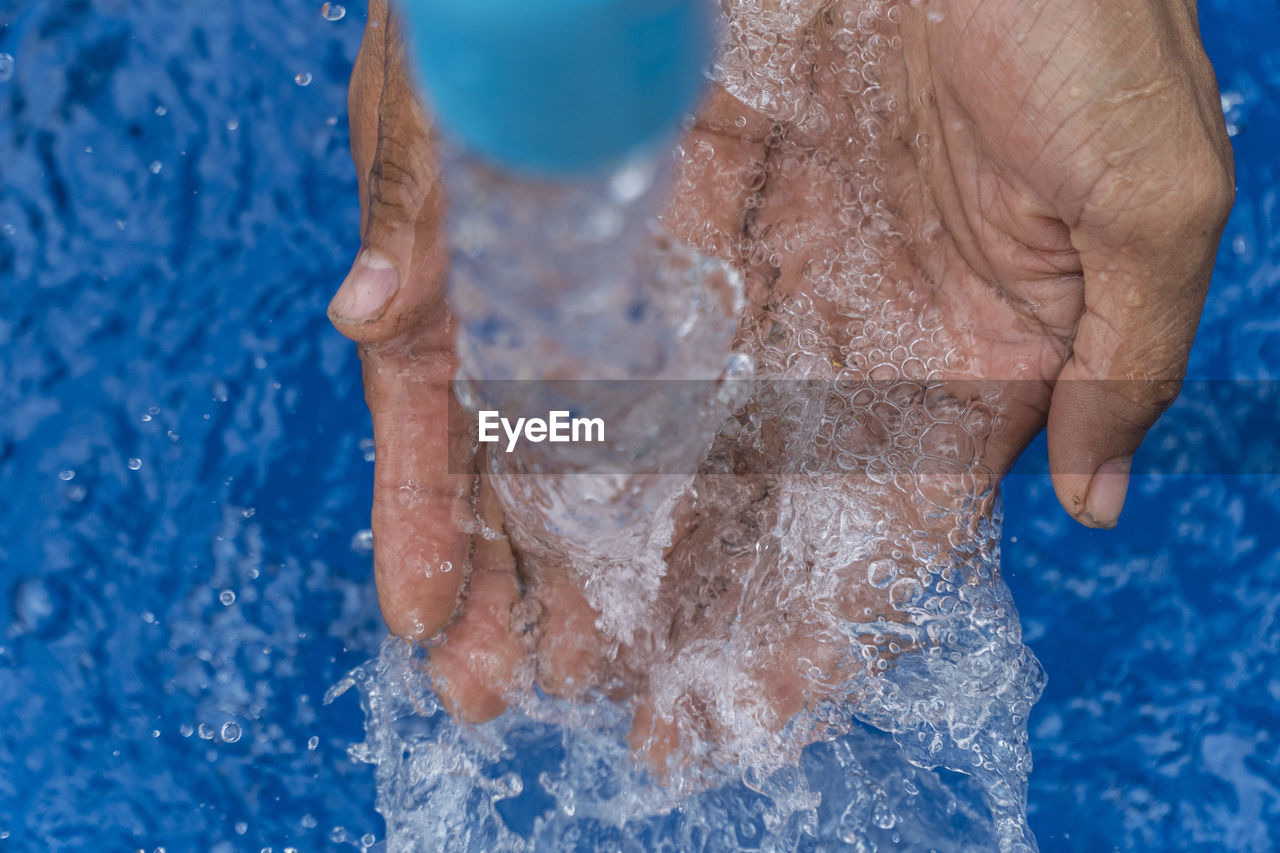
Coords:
pixel 185 473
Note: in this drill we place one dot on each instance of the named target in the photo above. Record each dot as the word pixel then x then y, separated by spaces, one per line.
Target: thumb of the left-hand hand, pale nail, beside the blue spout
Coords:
pixel 399 277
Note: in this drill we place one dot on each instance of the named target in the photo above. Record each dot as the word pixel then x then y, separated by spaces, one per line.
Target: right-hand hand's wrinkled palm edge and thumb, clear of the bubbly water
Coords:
pixel 1078 161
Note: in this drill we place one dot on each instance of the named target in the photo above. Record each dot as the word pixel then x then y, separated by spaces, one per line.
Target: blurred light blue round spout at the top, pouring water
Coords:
pixel 560 88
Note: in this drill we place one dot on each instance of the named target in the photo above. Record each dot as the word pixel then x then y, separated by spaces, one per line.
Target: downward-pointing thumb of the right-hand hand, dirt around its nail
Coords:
pixel 1146 276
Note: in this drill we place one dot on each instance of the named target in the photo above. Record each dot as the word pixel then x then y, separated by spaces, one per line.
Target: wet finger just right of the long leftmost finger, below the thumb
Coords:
pixel 478 665
